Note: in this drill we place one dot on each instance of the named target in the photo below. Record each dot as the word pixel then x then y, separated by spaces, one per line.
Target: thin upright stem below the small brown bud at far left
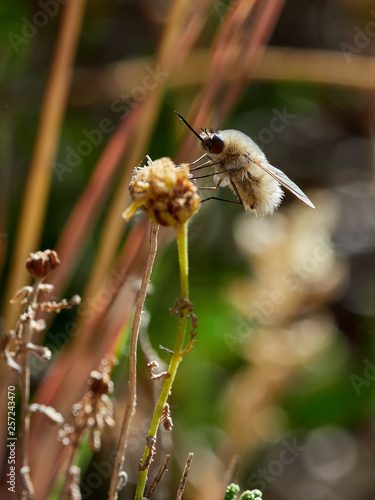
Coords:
pixel 25 483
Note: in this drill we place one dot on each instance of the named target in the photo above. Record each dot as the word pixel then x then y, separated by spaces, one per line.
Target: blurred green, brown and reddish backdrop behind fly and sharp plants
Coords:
pixel 282 375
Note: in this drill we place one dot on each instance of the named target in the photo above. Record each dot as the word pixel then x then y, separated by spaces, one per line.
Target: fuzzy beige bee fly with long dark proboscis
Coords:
pixel 240 164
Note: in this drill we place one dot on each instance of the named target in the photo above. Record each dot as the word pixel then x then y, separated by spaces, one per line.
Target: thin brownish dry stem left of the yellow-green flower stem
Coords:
pixel 132 398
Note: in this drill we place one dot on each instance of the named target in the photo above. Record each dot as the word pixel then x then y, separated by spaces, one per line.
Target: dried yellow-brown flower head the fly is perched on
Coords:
pixel 164 191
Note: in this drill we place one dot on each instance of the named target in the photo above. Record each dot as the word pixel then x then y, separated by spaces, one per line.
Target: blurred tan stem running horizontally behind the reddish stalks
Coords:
pixel 323 67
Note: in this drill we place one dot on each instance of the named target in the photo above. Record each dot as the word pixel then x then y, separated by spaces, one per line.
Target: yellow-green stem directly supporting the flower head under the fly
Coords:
pixel 181 233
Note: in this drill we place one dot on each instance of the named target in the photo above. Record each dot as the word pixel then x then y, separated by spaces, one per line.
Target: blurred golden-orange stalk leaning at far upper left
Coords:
pixel 38 185
